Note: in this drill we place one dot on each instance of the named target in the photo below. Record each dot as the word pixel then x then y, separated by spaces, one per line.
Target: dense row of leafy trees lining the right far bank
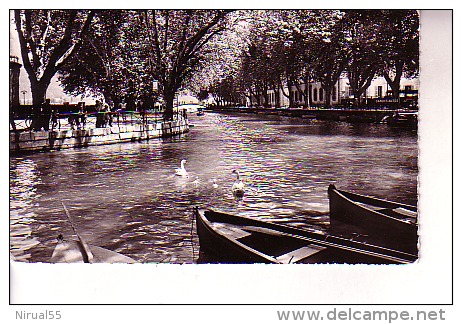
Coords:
pixel 286 49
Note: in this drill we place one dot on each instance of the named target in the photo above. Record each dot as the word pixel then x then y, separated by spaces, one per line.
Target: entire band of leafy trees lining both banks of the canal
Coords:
pixel 151 54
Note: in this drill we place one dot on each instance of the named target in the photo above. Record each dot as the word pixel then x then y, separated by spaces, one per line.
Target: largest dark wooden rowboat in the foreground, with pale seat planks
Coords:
pixel 237 239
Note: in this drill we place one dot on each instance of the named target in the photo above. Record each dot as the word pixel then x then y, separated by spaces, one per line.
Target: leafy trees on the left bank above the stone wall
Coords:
pixel 116 53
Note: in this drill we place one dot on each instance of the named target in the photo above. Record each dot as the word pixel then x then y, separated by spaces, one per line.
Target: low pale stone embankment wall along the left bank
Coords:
pixel 31 141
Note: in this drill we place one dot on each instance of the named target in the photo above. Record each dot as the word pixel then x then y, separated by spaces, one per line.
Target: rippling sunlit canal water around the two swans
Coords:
pixel 126 197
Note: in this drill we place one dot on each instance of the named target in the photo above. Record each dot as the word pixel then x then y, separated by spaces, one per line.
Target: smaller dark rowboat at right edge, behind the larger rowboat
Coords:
pixel 389 221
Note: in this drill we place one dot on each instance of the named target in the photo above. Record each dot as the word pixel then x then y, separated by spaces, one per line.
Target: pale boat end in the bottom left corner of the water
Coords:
pixel 76 251
